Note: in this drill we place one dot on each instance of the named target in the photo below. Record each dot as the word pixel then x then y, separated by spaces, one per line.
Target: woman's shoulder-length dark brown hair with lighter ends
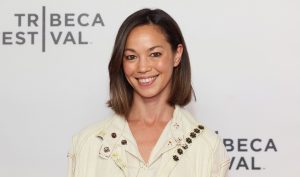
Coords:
pixel 121 92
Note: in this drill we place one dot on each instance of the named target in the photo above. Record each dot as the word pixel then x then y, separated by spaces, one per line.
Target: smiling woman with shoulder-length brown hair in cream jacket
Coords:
pixel 150 135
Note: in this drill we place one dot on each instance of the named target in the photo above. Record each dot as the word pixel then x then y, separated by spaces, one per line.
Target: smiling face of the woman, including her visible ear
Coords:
pixel 148 61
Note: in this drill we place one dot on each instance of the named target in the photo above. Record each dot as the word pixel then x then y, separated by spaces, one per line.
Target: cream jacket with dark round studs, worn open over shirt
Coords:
pixel 100 150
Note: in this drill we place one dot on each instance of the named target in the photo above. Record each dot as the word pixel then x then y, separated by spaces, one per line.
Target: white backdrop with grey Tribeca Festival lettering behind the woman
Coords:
pixel 245 57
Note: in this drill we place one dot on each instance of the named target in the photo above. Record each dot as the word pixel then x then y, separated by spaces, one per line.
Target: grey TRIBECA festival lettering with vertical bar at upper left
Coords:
pixel 51 28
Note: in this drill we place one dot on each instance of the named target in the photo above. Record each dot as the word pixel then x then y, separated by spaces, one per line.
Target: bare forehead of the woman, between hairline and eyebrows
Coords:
pixel 146 34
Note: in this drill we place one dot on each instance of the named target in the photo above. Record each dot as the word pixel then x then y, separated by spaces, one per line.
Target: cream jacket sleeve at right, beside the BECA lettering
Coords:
pixel 220 161
